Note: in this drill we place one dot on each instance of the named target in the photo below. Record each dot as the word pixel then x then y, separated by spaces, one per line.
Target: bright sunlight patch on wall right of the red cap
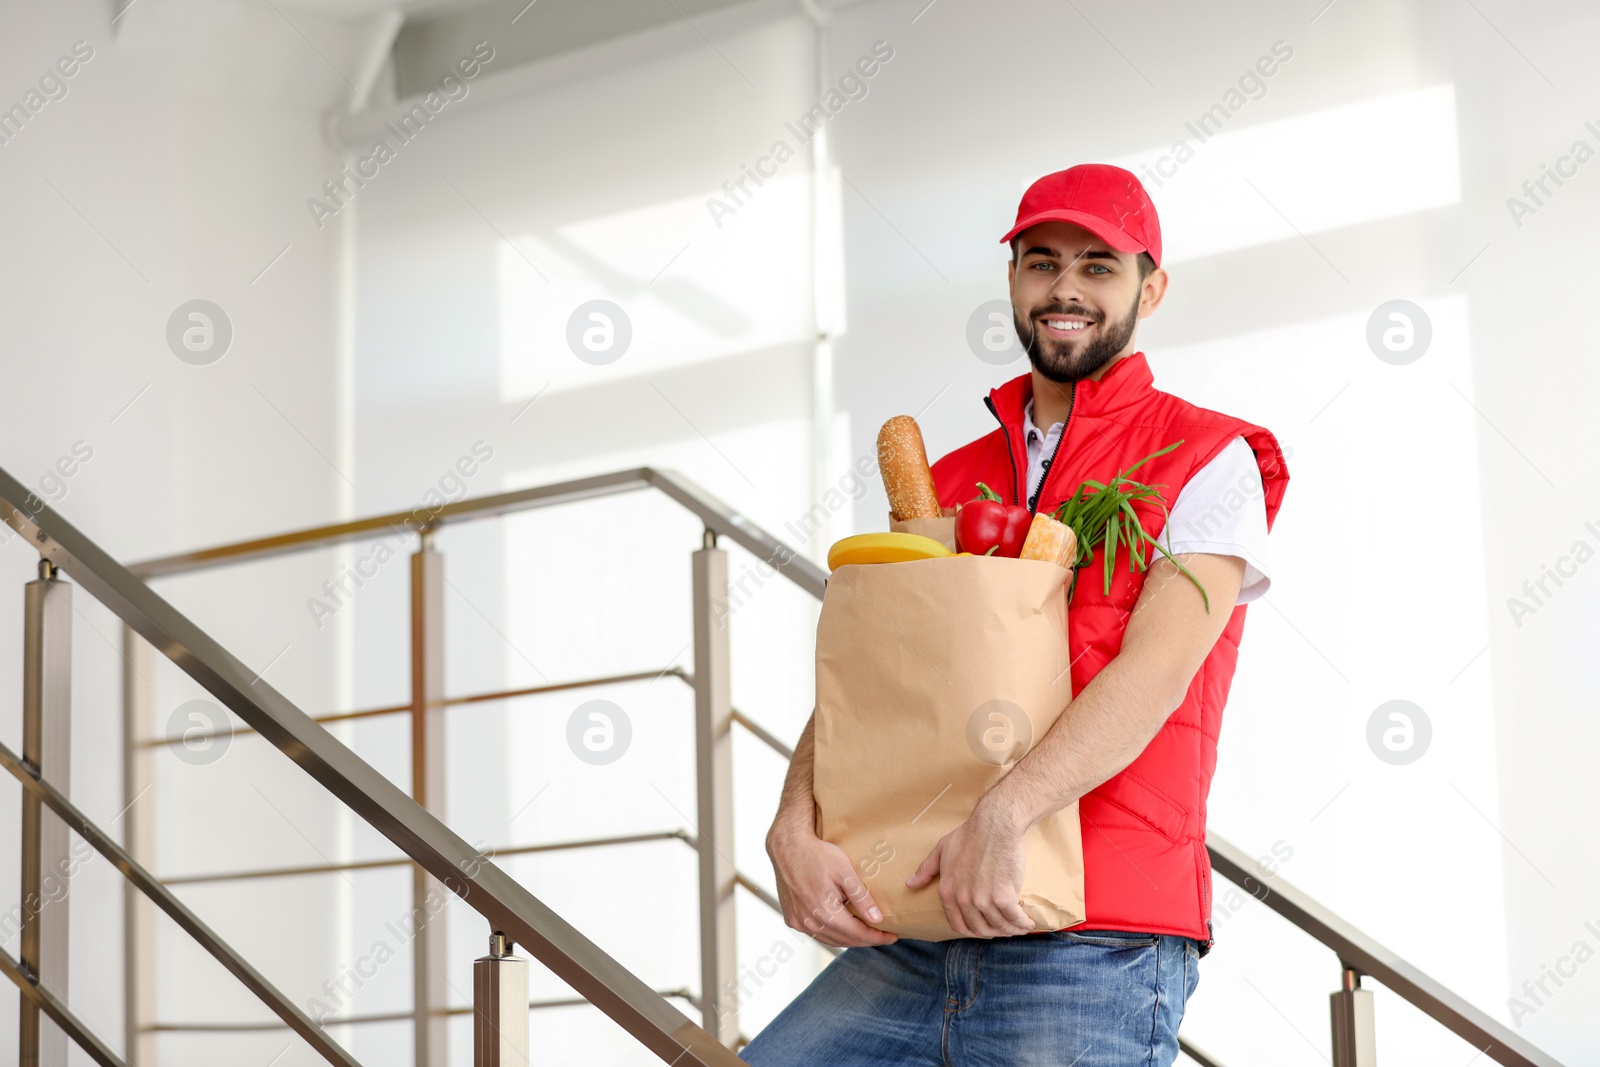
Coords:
pixel 1311 174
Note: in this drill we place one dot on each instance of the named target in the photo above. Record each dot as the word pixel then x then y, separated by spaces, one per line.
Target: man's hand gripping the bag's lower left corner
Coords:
pixel 820 892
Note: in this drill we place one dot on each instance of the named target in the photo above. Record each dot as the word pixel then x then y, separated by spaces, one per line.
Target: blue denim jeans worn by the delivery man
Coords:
pixel 1094 999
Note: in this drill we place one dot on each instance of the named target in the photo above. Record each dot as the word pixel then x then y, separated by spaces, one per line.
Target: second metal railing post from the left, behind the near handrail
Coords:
pixel 138 836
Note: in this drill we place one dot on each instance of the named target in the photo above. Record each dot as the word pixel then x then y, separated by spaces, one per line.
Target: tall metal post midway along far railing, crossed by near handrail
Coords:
pixel 430 983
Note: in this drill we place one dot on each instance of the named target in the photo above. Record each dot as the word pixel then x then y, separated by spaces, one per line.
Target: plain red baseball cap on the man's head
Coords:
pixel 1106 201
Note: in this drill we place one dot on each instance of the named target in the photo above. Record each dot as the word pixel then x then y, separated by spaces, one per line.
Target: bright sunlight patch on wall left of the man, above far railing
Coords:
pixel 692 292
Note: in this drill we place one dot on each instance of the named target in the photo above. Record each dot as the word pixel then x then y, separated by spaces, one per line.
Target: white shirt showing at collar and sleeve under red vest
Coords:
pixel 1222 510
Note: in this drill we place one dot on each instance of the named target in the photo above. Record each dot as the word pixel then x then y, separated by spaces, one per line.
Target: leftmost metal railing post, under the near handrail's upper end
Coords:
pixel 47 732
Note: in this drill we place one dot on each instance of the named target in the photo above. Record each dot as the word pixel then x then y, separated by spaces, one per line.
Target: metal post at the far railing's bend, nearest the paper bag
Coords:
pixel 714 786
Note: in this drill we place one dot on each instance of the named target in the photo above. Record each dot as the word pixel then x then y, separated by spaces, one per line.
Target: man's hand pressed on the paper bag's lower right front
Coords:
pixel 980 868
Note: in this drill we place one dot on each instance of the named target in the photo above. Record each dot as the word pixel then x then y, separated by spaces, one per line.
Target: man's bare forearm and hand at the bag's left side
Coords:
pixel 817 884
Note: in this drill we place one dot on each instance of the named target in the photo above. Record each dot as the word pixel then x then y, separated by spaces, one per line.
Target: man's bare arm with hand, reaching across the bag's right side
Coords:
pixel 980 865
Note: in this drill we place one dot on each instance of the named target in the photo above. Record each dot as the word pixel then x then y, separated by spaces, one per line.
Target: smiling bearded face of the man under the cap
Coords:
pixel 1074 300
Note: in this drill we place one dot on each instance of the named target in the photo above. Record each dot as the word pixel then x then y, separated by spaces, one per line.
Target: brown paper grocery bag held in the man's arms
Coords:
pixel 934 679
